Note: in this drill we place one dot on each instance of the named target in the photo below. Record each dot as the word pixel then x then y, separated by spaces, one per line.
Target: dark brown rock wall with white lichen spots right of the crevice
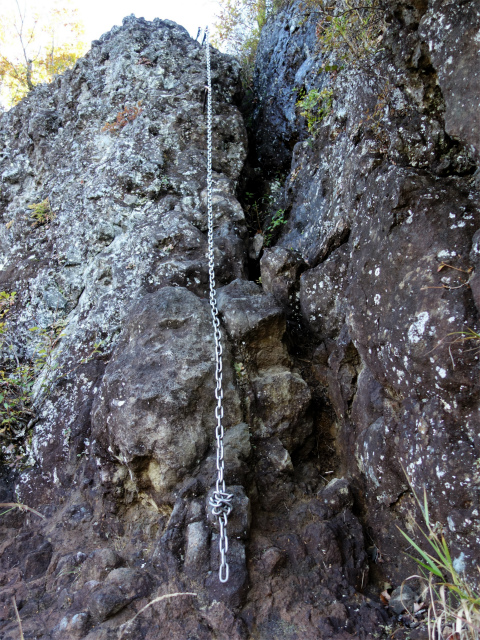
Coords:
pixel 383 211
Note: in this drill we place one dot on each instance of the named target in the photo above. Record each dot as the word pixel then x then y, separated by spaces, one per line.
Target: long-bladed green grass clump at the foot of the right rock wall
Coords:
pixel 454 609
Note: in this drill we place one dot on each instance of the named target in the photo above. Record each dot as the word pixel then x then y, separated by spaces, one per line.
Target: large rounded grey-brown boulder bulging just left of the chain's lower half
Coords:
pixel 160 372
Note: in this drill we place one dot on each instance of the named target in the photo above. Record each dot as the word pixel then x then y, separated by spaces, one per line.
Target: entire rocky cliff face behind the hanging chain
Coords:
pixel 344 372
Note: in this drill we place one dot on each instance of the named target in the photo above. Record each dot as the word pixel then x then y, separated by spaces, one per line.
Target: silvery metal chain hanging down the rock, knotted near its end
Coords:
pixel 221 501
